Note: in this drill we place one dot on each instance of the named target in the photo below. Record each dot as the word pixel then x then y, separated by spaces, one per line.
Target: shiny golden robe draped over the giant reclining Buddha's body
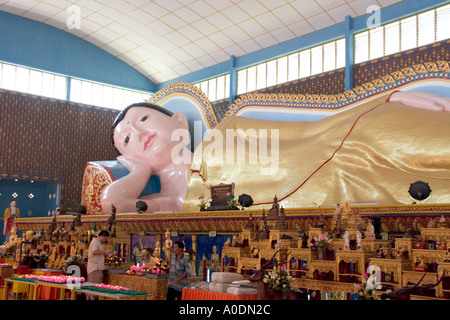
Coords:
pixel 368 154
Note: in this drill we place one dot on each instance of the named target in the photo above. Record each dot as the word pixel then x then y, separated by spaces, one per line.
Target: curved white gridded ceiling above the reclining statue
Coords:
pixel 165 39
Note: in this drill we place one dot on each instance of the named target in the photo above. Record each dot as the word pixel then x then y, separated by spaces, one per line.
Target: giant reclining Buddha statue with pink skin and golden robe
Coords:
pixel 369 153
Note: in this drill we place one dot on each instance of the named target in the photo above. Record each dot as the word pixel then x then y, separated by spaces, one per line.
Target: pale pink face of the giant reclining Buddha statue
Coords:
pixel 145 135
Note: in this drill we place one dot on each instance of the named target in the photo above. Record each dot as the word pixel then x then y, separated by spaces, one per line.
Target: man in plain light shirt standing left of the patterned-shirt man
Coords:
pixel 96 259
